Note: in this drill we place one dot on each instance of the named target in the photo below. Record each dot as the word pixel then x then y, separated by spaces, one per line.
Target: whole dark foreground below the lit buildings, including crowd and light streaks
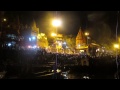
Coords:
pixel 40 65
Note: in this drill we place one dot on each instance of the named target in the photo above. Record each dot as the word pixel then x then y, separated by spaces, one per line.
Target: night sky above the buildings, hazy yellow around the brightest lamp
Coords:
pixel 71 20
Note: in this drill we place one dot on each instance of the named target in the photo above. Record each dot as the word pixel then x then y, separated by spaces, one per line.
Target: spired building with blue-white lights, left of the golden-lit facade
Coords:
pixel 29 34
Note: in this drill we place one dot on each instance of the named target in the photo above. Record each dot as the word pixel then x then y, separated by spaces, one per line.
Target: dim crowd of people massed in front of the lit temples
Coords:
pixel 20 62
